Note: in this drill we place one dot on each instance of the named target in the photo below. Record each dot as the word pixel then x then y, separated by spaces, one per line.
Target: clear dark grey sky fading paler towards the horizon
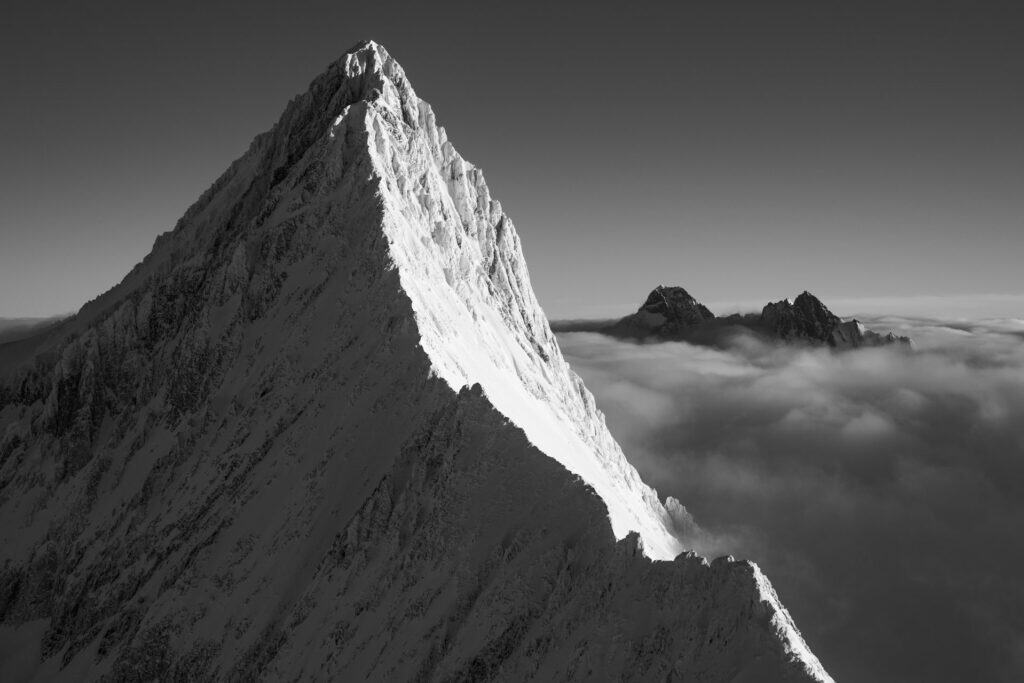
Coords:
pixel 746 151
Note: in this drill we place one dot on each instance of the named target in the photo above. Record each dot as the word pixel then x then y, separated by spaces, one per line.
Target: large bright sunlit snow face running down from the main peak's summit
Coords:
pixel 461 264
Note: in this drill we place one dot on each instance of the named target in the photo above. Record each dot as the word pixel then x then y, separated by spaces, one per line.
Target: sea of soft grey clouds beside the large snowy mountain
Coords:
pixel 882 492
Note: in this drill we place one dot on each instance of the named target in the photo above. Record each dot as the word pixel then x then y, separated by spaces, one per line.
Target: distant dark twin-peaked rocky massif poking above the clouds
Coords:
pixel 671 314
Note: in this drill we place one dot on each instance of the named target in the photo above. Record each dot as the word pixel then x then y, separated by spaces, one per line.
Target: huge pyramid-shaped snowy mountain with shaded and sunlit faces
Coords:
pixel 324 432
